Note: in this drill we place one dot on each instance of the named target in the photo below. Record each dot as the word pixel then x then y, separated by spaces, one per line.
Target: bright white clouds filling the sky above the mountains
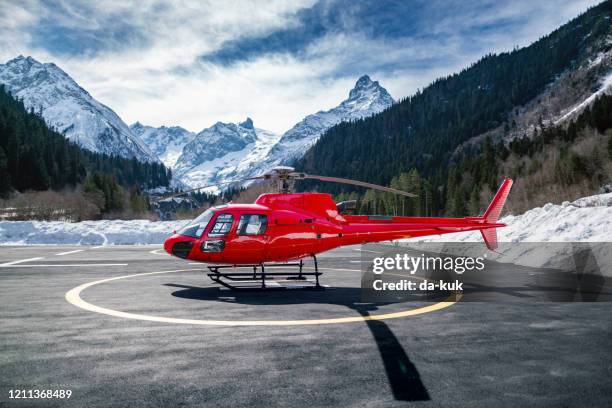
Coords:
pixel 163 81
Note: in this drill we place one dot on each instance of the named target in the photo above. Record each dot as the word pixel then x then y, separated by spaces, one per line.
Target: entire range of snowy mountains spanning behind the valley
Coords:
pixel 213 155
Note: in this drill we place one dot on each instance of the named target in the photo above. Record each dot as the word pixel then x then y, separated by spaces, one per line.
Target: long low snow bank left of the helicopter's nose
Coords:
pixel 105 232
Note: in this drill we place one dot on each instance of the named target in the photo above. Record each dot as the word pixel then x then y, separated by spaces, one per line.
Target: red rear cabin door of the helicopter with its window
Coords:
pixel 251 239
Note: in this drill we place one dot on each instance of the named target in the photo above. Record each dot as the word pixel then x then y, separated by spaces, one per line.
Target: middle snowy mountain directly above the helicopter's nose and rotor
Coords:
pixel 222 152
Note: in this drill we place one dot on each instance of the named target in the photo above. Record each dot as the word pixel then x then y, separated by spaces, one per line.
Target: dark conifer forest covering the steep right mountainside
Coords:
pixel 422 131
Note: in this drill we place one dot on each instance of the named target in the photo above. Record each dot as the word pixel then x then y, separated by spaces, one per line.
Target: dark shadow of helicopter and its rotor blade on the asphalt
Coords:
pixel 403 376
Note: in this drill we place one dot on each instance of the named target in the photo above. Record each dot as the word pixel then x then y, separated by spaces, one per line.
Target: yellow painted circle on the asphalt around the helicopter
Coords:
pixel 73 296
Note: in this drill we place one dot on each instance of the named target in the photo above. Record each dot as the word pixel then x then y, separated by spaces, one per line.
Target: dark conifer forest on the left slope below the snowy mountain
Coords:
pixel 34 157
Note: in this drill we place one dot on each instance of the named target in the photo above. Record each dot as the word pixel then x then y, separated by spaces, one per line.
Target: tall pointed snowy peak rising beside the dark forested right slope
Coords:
pixel 365 99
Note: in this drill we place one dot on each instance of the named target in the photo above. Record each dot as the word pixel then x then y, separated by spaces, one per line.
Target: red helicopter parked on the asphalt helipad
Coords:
pixel 287 226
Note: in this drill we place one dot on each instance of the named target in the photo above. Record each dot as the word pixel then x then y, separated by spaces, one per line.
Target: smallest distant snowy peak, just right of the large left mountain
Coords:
pixel 166 143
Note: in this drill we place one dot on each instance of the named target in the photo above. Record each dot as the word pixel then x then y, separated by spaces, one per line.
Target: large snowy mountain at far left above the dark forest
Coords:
pixel 70 109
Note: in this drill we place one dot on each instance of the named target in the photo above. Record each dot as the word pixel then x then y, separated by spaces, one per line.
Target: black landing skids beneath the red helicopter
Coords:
pixel 261 279
